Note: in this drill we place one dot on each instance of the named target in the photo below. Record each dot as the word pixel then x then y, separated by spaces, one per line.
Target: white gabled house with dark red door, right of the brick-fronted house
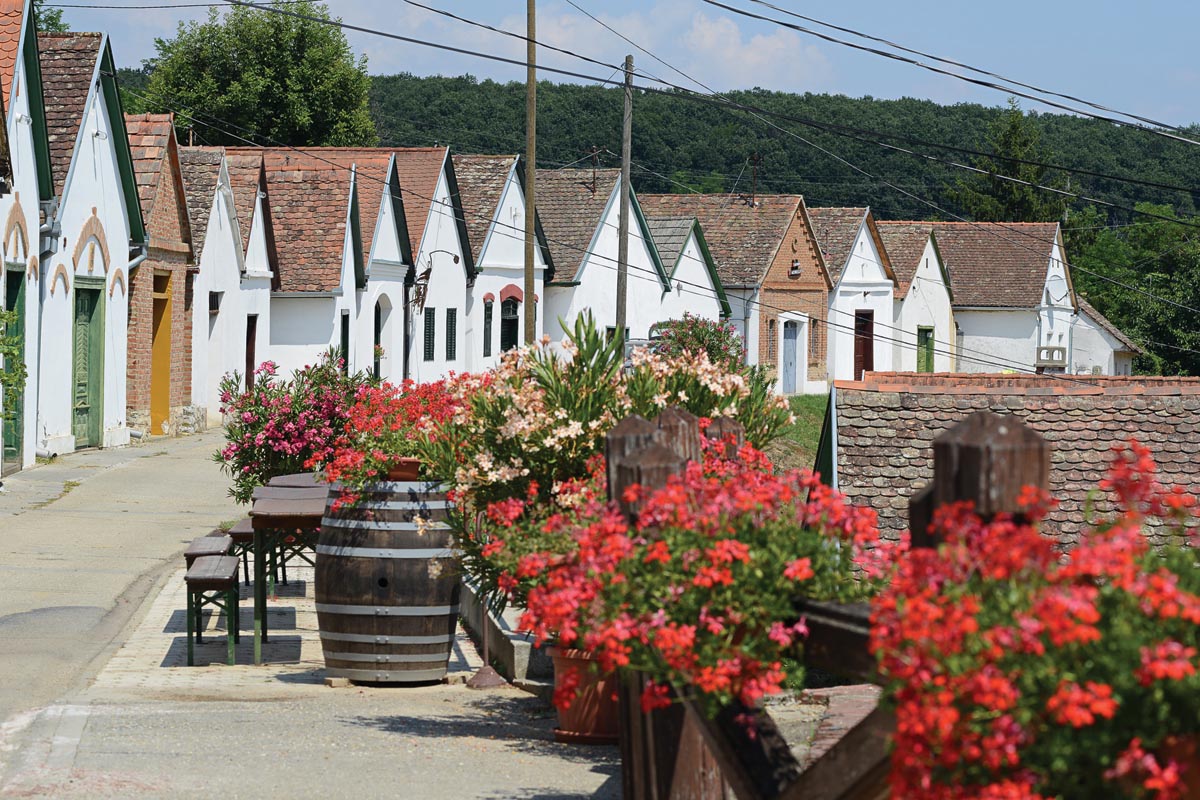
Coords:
pixel 861 302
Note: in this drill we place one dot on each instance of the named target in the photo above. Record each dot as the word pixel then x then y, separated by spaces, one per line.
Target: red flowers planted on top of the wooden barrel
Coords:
pixel 383 425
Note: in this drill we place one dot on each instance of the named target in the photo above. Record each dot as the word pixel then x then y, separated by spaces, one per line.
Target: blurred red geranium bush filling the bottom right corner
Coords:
pixel 1019 672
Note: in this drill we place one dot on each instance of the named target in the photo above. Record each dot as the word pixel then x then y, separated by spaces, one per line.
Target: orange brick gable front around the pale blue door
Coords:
pixel 805 292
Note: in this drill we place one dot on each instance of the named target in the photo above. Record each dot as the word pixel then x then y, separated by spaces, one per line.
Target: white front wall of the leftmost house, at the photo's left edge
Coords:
pixel 25 166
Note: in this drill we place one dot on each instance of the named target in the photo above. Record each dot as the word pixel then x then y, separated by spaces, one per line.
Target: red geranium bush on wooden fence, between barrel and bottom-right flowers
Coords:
pixel 701 592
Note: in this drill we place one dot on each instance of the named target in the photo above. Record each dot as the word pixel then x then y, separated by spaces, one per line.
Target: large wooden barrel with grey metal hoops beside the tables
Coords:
pixel 387 586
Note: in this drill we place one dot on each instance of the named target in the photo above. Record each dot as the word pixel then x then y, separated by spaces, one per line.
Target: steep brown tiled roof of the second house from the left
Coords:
pixel 69 62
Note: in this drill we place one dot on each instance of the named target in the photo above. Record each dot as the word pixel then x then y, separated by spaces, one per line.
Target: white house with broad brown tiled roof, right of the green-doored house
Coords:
pixel 1013 298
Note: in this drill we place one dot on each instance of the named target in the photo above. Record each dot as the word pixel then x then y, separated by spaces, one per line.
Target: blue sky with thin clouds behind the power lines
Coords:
pixel 1131 57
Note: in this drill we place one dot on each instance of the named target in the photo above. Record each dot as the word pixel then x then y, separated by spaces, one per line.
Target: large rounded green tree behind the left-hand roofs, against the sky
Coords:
pixel 266 77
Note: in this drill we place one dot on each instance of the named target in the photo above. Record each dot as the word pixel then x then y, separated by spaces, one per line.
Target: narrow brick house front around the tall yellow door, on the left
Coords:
pixel 169 257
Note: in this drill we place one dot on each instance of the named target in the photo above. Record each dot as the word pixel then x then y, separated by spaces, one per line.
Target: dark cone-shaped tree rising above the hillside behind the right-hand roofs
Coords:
pixel 988 197
